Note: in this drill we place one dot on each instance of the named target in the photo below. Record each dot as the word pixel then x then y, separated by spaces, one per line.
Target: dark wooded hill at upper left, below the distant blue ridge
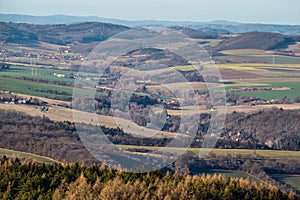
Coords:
pixel 58 34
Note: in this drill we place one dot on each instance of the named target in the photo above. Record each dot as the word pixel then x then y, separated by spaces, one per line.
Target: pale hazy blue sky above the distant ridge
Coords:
pixel 259 11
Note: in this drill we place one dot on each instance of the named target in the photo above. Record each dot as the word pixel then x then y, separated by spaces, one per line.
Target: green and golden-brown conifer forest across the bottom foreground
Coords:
pixel 30 180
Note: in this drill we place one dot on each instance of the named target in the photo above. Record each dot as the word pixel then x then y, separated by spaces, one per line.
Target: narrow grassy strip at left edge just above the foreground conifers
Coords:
pixel 21 155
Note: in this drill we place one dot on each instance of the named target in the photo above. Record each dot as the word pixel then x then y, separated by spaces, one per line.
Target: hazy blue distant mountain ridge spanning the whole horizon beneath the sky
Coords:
pixel 233 27
